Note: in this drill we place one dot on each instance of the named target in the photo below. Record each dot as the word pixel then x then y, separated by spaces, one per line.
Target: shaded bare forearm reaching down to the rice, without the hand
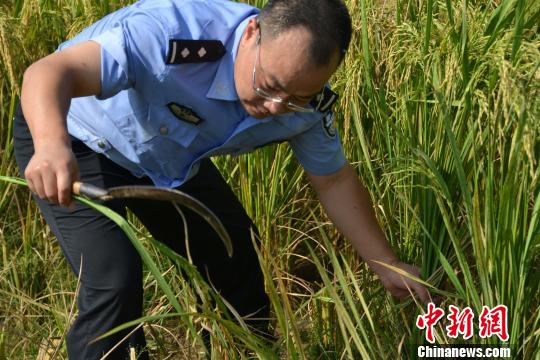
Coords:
pixel 349 206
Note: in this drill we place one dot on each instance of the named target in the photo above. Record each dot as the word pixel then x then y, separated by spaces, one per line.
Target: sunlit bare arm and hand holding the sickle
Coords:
pixel 48 87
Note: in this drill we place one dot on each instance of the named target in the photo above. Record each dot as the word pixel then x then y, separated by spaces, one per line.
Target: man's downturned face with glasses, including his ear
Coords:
pixel 282 71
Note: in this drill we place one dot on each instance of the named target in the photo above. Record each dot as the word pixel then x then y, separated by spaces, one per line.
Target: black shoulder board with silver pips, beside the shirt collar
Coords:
pixel 194 51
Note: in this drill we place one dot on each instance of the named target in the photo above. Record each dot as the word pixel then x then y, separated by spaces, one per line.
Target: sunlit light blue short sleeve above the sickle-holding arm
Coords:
pixel 132 53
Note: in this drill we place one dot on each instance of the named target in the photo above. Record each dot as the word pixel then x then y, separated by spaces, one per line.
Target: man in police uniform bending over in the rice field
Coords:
pixel 145 96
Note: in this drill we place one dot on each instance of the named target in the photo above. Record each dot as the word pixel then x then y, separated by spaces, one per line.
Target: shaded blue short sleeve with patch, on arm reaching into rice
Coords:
pixel 319 149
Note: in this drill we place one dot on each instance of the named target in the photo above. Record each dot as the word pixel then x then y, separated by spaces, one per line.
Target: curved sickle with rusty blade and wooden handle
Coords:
pixel 154 193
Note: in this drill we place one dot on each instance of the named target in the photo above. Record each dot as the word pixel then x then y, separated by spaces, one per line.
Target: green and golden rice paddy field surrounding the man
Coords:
pixel 439 113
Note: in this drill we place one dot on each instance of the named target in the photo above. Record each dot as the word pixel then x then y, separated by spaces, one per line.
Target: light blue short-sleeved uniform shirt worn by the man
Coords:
pixel 130 122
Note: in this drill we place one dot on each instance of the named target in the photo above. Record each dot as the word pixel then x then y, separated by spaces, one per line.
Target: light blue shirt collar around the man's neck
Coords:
pixel 223 87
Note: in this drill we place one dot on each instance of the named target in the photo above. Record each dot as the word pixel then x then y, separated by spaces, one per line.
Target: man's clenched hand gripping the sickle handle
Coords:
pixel 51 173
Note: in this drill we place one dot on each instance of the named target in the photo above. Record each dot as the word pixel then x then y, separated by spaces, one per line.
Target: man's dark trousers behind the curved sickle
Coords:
pixel 111 276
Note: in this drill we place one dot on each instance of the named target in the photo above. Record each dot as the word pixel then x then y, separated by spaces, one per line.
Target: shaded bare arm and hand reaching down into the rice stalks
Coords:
pixel 348 204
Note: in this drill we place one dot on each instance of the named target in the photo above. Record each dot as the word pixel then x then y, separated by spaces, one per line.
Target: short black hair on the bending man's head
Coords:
pixel 327 20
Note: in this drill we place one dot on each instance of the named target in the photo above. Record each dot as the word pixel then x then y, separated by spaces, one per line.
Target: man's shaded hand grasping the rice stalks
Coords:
pixel 401 286
